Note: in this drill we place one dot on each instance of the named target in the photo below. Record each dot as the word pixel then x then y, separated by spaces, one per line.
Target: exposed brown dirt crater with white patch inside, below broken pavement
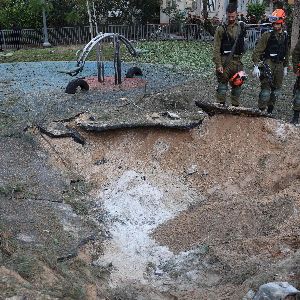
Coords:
pixel 202 214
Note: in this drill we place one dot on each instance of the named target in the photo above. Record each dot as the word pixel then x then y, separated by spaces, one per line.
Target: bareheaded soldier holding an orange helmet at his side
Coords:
pixel 228 50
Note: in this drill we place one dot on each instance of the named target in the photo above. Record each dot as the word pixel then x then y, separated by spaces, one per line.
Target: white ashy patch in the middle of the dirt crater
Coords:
pixel 136 206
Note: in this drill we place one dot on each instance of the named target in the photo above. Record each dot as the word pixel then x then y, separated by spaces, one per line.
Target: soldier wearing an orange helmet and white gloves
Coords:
pixel 272 49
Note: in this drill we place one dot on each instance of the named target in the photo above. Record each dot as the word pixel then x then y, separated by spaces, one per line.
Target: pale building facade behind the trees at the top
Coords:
pixel 215 8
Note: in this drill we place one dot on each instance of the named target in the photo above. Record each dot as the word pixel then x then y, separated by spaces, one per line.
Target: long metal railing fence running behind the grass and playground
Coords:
pixel 28 38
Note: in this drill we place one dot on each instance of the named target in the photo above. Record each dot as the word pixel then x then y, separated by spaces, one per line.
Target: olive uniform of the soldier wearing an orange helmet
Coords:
pixel 270 91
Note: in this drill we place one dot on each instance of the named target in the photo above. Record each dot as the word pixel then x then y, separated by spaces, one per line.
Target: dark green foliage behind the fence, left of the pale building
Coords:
pixel 28 13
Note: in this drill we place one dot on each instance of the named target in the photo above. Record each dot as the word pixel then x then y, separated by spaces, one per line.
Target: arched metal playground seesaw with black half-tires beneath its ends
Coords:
pixel 96 42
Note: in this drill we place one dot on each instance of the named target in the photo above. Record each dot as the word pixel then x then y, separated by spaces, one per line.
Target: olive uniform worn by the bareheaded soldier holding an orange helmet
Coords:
pixel 231 66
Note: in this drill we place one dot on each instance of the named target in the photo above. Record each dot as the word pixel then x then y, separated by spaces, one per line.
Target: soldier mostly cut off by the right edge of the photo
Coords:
pixel 296 69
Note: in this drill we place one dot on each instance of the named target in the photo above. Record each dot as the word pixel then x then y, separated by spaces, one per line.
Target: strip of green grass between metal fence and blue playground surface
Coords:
pixel 194 56
